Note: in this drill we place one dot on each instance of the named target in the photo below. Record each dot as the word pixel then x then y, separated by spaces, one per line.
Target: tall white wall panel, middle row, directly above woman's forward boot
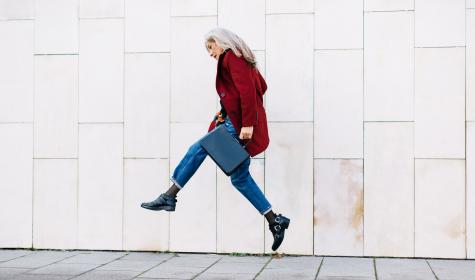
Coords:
pixel 146 109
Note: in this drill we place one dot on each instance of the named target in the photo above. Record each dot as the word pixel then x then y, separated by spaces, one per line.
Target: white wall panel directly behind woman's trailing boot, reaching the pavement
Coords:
pixel 289 177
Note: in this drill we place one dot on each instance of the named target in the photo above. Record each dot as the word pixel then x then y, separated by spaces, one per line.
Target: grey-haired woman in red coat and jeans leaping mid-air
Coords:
pixel 240 87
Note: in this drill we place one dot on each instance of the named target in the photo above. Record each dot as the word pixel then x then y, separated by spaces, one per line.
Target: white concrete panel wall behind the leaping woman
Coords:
pixel 371 110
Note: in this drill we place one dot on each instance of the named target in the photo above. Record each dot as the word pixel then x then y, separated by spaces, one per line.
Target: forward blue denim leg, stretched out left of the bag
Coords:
pixel 192 160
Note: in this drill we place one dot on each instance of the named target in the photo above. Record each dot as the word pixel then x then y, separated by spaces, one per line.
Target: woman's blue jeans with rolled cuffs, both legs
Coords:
pixel 240 178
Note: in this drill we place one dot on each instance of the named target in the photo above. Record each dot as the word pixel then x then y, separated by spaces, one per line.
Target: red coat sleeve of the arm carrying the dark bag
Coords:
pixel 241 74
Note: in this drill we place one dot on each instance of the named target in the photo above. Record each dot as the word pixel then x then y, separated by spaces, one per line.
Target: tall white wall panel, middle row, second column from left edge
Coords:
pixel 56 106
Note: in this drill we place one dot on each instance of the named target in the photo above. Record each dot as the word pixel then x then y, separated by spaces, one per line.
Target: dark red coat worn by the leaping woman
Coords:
pixel 240 88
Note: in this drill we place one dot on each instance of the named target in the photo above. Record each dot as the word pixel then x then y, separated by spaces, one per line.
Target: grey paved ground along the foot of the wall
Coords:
pixel 55 265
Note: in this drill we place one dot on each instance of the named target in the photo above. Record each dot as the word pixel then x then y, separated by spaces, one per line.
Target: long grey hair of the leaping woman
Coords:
pixel 226 39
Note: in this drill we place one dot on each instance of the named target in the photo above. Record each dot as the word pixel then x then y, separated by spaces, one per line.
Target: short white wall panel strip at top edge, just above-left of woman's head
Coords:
pixel 194 8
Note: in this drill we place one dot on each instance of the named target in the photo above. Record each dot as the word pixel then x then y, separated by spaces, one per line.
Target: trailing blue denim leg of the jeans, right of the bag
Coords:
pixel 243 181
